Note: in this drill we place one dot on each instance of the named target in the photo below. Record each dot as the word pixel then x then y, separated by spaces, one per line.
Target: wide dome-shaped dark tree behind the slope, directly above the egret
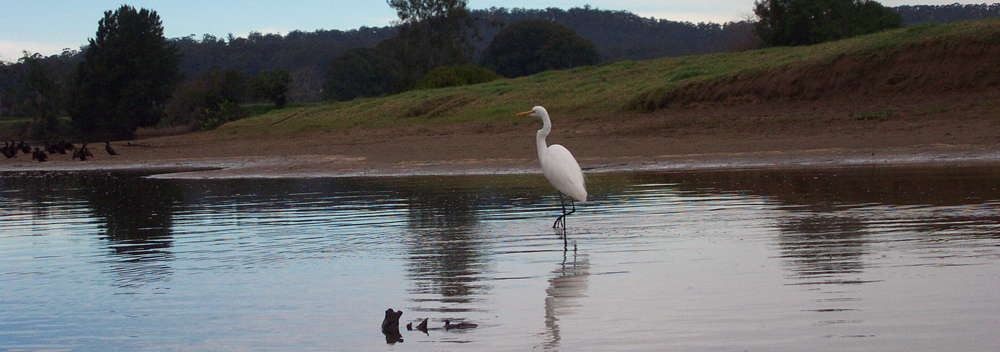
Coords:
pixel 533 46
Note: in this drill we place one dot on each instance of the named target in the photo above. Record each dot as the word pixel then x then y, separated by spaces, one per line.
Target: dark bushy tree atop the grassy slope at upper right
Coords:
pixel 803 22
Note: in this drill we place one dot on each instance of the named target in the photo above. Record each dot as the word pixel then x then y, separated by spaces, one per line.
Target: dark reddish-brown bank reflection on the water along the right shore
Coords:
pixel 851 187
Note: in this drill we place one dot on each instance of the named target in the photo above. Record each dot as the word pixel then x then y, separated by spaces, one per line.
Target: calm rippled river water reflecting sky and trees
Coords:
pixel 858 259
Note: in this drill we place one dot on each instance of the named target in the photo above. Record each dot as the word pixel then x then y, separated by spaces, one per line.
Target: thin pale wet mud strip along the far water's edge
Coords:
pixel 306 166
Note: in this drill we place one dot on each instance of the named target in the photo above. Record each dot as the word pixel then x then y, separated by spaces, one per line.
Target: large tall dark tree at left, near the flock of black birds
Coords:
pixel 128 73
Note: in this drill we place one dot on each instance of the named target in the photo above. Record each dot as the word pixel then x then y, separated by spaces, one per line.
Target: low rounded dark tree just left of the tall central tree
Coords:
pixel 362 72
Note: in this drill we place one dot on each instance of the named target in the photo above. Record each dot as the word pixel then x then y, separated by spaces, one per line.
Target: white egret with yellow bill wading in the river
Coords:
pixel 559 166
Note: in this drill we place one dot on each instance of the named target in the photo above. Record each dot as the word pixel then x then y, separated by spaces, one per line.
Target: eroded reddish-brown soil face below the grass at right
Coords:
pixel 925 68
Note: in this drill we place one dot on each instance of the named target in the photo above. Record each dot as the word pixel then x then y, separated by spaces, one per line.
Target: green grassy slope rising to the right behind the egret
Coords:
pixel 589 92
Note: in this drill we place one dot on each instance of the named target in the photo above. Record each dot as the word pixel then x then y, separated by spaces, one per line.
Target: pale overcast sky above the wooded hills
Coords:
pixel 48 26
